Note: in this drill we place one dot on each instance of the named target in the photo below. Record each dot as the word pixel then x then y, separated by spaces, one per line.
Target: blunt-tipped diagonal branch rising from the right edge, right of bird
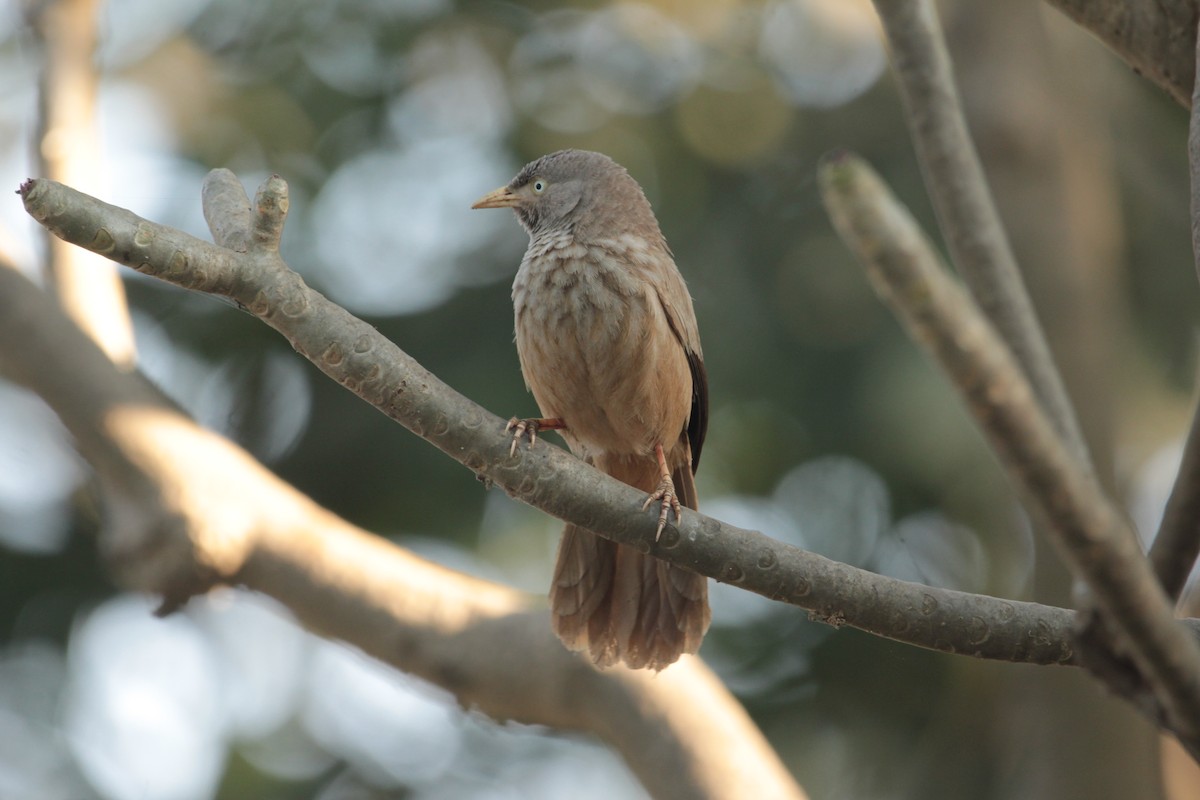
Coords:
pixel 1091 534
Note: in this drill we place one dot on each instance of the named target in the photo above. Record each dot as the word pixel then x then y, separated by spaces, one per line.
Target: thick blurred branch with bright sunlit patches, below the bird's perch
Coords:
pixel 188 509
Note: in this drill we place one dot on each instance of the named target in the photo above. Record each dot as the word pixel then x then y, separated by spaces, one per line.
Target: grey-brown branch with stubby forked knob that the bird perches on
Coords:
pixel 358 357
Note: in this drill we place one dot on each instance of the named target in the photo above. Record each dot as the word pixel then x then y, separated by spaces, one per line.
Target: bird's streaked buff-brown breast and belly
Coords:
pixel 596 347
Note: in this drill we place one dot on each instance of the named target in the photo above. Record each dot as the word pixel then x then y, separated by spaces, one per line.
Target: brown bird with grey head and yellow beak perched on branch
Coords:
pixel 609 345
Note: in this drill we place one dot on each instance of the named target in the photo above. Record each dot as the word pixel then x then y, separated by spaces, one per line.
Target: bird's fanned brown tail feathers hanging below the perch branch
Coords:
pixel 616 604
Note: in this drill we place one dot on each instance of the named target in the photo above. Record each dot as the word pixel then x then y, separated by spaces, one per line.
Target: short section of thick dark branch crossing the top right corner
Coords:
pixel 1156 38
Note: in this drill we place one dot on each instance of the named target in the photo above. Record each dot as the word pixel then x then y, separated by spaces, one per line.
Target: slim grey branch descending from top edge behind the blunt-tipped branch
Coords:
pixel 967 212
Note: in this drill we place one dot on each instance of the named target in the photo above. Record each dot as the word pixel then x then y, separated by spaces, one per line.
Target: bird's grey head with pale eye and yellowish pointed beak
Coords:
pixel 577 191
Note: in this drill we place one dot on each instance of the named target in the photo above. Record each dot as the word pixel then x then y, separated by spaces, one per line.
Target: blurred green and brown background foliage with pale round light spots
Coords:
pixel 829 429
